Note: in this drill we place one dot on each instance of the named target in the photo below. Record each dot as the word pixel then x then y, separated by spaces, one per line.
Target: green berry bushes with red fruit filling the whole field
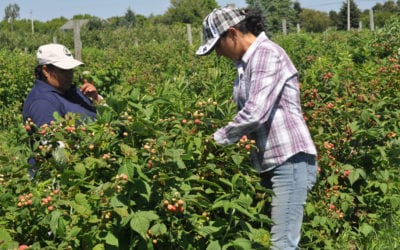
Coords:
pixel 146 175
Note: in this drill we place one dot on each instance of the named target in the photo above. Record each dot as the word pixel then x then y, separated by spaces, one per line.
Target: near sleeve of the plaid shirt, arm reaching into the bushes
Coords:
pixel 256 94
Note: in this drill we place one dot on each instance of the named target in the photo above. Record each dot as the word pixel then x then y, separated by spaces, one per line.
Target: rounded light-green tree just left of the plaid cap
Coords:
pixel 188 11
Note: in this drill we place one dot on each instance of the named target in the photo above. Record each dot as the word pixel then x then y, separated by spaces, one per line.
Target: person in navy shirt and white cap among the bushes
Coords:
pixel 54 90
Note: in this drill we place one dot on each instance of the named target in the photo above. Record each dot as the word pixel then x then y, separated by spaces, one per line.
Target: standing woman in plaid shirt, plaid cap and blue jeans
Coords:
pixel 269 111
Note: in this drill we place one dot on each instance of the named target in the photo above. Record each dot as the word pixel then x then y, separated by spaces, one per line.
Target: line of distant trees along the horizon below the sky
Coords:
pixel 193 12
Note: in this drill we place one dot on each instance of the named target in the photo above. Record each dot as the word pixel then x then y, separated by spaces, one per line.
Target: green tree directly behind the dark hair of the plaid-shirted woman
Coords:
pixel 275 11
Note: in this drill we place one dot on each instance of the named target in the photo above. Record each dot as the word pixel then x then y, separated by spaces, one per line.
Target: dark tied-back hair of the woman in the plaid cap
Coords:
pixel 253 23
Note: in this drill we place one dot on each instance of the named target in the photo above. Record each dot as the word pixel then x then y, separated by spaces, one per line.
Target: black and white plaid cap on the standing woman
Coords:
pixel 215 24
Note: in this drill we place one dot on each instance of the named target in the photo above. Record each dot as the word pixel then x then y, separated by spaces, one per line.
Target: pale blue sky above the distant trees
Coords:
pixel 45 10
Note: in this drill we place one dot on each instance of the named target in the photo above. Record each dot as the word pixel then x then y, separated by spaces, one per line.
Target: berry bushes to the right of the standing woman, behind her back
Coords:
pixel 352 111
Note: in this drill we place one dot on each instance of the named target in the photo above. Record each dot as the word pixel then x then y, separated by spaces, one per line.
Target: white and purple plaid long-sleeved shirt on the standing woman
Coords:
pixel 268 99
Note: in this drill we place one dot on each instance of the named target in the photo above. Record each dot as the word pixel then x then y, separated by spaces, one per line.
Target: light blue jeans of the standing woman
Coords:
pixel 290 183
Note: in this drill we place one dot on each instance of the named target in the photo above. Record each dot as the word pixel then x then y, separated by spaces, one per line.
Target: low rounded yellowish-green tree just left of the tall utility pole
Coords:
pixel 314 21
